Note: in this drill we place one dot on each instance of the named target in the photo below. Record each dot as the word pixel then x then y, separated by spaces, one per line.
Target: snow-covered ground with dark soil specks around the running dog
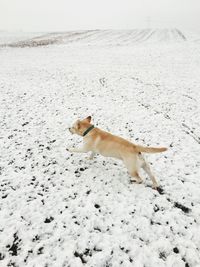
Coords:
pixel 60 209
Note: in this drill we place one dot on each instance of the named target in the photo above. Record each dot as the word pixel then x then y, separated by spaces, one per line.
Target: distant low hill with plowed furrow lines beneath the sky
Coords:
pixel 98 37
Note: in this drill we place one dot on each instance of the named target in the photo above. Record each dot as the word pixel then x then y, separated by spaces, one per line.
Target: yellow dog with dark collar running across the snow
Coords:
pixel 98 141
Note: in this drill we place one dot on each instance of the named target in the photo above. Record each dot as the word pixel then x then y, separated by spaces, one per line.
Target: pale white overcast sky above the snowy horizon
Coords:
pixel 61 15
